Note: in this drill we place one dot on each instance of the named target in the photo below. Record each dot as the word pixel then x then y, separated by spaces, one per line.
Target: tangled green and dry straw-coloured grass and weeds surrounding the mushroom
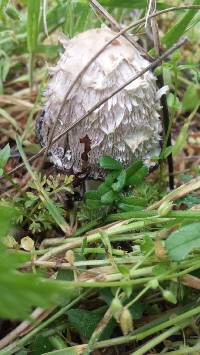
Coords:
pixel 120 268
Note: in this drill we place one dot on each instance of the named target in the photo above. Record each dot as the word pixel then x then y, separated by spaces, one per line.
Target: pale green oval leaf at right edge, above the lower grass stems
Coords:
pixel 181 242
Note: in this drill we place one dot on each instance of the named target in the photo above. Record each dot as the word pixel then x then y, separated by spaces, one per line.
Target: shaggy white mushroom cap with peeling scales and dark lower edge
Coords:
pixel 126 127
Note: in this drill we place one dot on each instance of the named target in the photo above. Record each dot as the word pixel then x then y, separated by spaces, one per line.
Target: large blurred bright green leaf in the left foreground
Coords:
pixel 21 291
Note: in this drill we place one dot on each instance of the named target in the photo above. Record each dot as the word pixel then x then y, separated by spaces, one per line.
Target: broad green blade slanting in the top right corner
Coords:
pixel 180 27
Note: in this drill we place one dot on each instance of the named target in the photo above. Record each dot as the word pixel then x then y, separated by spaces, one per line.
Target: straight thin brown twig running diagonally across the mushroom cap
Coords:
pixel 151 66
